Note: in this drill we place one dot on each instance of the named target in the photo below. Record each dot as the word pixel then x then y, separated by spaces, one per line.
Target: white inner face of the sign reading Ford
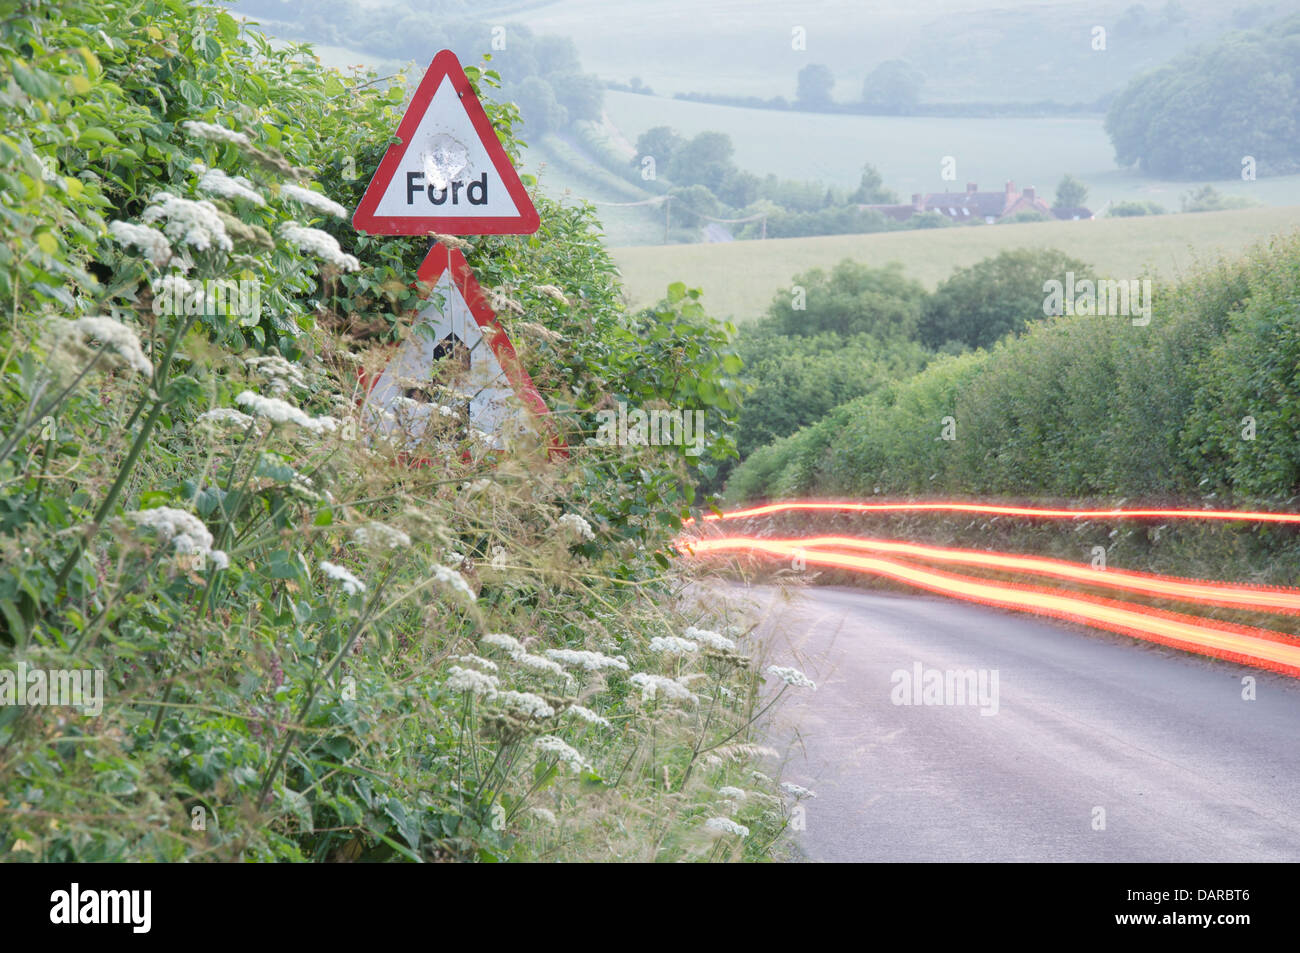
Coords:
pixel 445 170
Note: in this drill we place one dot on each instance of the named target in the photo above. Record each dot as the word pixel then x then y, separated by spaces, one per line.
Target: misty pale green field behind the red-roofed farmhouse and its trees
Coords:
pixel 909 151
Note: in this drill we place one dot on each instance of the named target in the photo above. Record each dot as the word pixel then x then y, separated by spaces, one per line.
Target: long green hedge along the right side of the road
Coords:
pixel 1198 404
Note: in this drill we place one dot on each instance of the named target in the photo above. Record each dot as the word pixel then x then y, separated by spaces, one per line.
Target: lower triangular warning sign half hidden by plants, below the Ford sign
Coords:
pixel 502 398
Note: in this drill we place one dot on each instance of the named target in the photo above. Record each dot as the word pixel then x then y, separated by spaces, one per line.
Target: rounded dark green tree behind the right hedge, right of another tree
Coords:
pixel 994 298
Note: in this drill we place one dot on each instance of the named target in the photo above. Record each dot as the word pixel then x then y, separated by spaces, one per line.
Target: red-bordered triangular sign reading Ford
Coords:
pixel 449 171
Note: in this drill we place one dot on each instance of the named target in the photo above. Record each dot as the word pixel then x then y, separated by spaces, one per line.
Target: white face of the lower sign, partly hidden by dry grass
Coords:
pixel 447 332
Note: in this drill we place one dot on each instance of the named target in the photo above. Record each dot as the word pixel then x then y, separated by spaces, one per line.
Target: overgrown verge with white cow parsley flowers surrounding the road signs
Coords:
pixel 319 642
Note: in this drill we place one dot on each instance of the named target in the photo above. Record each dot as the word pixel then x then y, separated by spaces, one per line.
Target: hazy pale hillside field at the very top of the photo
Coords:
pixel 1026 50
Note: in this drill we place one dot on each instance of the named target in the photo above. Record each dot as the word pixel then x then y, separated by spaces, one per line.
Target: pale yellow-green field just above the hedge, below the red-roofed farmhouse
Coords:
pixel 739 279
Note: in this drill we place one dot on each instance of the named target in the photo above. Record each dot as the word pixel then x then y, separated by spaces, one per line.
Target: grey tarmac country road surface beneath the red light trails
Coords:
pixel 1100 750
